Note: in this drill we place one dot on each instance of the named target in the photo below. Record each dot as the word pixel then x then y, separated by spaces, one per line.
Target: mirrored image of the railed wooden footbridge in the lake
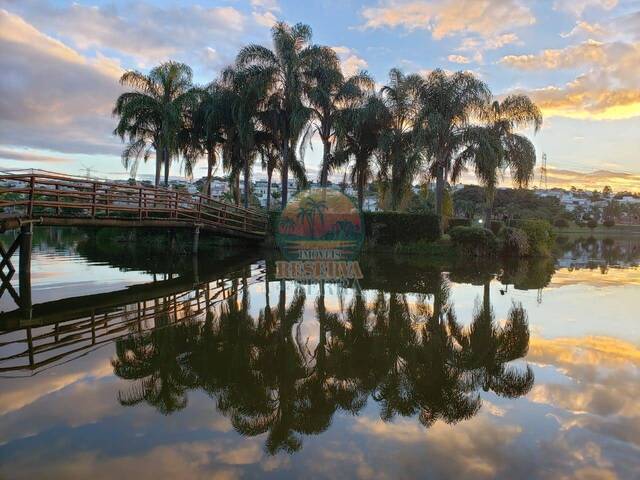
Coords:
pixel 63 330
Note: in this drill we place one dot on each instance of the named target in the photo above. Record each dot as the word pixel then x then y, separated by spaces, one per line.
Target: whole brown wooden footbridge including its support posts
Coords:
pixel 47 198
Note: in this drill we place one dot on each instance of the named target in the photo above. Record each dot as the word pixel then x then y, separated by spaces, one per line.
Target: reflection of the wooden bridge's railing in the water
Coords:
pixel 39 347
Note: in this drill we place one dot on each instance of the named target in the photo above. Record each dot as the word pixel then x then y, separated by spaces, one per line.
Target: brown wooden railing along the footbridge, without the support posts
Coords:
pixel 54 196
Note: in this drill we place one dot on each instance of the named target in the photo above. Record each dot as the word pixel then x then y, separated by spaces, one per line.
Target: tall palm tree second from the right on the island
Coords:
pixel 448 105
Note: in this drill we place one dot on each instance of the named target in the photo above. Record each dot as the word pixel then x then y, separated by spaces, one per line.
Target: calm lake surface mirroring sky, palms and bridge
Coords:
pixel 137 364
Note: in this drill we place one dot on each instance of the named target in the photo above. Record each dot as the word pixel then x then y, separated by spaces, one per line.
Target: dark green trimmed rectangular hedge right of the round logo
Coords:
pixel 390 228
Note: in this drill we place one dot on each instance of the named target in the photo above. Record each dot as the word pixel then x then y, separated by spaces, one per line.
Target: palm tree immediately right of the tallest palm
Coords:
pixel 328 93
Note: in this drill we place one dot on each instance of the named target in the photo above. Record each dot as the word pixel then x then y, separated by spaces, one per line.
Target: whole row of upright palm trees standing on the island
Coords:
pixel 272 102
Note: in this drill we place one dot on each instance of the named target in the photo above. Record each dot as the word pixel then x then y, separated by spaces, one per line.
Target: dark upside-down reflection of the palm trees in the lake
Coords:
pixel 268 378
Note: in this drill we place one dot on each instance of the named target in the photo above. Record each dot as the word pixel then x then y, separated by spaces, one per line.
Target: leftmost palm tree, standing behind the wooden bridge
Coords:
pixel 152 114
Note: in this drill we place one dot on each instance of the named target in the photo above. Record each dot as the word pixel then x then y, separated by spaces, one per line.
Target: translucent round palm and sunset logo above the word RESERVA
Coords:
pixel 320 224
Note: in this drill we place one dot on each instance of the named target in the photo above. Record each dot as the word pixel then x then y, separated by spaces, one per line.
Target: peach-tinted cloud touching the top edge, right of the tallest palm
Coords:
pixel 486 18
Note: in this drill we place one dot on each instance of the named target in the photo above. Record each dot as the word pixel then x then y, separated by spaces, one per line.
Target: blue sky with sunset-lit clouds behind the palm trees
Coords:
pixel 578 59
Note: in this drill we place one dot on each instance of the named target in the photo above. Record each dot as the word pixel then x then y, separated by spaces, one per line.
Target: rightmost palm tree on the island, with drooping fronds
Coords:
pixel 509 149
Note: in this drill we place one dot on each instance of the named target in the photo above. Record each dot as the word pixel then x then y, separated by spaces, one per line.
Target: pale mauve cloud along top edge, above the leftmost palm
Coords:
pixel 164 33
